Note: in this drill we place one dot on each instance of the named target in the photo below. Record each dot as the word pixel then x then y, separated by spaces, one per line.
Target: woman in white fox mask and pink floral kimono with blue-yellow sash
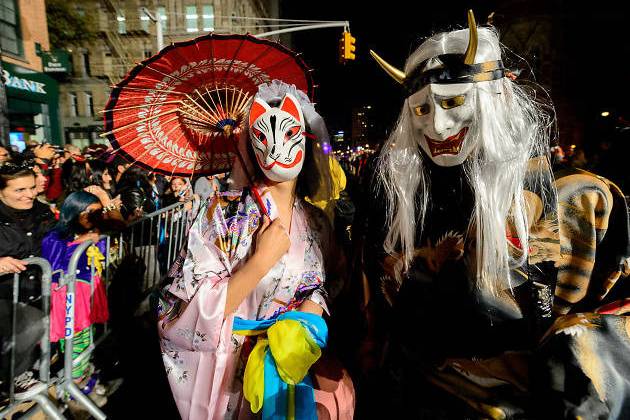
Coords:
pixel 256 259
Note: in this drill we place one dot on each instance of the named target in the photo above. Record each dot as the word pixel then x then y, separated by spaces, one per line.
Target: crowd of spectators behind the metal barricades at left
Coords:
pixel 52 200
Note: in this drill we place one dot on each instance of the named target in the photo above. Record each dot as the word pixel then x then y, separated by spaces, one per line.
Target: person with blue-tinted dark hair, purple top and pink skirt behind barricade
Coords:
pixel 80 217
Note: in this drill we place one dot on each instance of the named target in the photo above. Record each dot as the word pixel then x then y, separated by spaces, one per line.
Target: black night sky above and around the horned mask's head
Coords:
pixel 590 67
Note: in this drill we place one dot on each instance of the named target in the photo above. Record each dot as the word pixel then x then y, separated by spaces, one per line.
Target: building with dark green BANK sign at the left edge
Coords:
pixel 30 112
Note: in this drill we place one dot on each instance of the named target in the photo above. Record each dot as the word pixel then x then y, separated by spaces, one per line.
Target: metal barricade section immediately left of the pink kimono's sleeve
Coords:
pixel 157 239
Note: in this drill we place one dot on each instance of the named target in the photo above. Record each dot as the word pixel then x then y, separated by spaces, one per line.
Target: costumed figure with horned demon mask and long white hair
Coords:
pixel 473 249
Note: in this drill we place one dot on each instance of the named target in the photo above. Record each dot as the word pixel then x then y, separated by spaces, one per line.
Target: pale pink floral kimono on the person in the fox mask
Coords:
pixel 201 355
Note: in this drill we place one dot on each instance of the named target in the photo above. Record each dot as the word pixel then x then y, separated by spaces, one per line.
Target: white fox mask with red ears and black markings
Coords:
pixel 277 136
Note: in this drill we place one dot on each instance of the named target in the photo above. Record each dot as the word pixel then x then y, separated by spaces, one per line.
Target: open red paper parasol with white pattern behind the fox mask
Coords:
pixel 180 111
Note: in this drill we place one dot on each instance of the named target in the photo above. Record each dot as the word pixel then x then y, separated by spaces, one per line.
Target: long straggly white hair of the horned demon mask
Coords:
pixel 509 127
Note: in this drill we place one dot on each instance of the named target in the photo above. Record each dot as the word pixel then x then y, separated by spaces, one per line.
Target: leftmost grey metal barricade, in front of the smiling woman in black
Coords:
pixel 41 393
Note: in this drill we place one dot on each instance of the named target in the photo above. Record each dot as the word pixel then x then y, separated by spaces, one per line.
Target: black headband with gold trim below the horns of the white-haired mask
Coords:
pixel 454 71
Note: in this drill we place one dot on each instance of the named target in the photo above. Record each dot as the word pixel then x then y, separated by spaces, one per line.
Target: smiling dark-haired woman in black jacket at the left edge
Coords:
pixel 23 223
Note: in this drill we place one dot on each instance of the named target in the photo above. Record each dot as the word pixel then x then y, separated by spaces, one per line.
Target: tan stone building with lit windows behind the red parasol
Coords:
pixel 128 35
